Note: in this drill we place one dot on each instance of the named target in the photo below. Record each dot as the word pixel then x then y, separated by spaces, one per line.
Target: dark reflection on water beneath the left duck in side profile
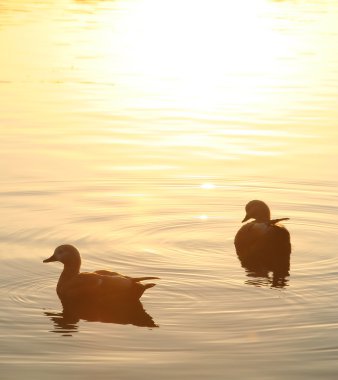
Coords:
pixel 124 313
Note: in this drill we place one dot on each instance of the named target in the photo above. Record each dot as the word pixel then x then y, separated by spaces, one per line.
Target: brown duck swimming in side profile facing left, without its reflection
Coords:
pixel 101 286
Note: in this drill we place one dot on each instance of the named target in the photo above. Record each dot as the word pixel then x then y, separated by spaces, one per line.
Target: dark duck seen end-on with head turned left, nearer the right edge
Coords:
pixel 263 241
